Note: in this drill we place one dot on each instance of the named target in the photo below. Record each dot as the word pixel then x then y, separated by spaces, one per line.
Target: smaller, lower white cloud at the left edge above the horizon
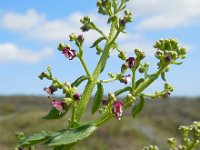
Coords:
pixel 10 52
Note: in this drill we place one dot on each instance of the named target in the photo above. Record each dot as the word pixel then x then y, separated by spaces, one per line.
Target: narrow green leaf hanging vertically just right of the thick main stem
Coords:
pixel 97 98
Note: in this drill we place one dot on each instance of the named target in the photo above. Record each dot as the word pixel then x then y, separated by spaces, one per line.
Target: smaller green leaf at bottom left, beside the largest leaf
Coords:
pixel 34 139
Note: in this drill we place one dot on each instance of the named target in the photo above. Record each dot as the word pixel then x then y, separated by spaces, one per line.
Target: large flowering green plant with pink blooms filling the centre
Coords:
pixel 167 53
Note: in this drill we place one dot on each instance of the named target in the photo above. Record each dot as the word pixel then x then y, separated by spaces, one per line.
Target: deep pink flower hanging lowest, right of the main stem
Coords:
pixel 117 109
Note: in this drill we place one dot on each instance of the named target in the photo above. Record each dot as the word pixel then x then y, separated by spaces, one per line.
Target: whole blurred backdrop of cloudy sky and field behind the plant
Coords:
pixel 29 34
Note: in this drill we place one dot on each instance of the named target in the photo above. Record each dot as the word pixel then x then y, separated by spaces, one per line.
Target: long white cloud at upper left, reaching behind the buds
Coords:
pixel 34 25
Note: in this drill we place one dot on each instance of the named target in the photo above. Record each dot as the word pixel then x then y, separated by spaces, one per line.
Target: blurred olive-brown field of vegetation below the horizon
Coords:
pixel 159 120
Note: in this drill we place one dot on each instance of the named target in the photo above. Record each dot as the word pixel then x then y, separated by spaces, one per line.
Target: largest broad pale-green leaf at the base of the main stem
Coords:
pixel 72 136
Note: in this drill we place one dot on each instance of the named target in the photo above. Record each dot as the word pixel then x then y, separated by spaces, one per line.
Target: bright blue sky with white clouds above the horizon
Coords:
pixel 30 31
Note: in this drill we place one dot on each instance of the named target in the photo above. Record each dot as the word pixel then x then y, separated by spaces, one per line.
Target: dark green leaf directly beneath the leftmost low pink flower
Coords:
pixel 55 114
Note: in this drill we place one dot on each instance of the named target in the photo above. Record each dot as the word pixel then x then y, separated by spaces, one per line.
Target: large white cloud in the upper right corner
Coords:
pixel 160 14
